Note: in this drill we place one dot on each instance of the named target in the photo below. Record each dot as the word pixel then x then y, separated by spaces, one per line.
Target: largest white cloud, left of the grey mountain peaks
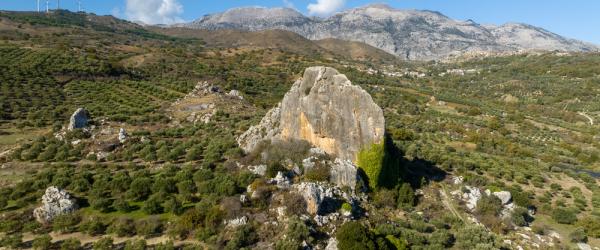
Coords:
pixel 154 11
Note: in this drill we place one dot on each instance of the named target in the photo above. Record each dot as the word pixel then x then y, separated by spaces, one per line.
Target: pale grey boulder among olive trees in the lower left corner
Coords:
pixel 55 202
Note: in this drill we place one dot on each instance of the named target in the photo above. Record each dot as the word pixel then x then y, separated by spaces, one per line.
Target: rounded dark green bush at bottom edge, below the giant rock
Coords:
pixel 353 235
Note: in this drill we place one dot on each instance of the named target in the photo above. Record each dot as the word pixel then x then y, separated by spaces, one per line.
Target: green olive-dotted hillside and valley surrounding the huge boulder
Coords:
pixel 527 124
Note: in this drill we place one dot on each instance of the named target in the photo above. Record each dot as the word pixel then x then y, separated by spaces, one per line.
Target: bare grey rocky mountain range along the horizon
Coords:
pixel 408 34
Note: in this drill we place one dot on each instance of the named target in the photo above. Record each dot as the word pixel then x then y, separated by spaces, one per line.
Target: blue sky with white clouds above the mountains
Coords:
pixel 579 19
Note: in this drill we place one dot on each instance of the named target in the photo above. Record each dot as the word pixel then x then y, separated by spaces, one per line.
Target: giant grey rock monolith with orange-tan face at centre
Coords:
pixel 325 109
